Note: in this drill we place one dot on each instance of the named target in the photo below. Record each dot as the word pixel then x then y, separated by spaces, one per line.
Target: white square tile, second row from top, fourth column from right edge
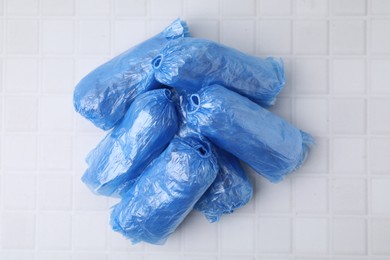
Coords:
pixel 274 37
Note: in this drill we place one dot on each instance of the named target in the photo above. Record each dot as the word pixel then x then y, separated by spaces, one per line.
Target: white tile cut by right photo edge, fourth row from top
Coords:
pixel 378 115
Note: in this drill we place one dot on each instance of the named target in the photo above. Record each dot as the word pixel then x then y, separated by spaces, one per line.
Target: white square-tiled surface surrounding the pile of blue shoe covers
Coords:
pixel 337 54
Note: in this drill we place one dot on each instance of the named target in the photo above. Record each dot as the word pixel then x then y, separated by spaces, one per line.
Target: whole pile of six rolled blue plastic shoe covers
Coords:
pixel 182 113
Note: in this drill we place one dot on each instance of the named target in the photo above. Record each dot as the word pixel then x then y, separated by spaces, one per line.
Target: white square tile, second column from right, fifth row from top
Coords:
pixel 347 150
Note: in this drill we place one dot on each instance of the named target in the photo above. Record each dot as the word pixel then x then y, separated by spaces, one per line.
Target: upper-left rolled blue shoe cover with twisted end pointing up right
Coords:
pixel 104 95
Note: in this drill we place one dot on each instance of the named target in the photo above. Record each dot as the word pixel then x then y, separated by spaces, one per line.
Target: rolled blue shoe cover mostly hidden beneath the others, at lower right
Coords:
pixel 230 190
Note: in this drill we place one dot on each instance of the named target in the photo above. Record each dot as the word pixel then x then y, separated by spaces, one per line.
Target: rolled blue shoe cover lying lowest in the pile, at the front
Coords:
pixel 166 192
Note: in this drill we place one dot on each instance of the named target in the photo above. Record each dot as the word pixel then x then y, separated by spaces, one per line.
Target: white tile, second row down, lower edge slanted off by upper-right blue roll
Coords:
pixel 233 31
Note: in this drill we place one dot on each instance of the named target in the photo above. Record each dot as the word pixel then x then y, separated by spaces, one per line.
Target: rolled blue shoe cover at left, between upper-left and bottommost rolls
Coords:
pixel 145 131
